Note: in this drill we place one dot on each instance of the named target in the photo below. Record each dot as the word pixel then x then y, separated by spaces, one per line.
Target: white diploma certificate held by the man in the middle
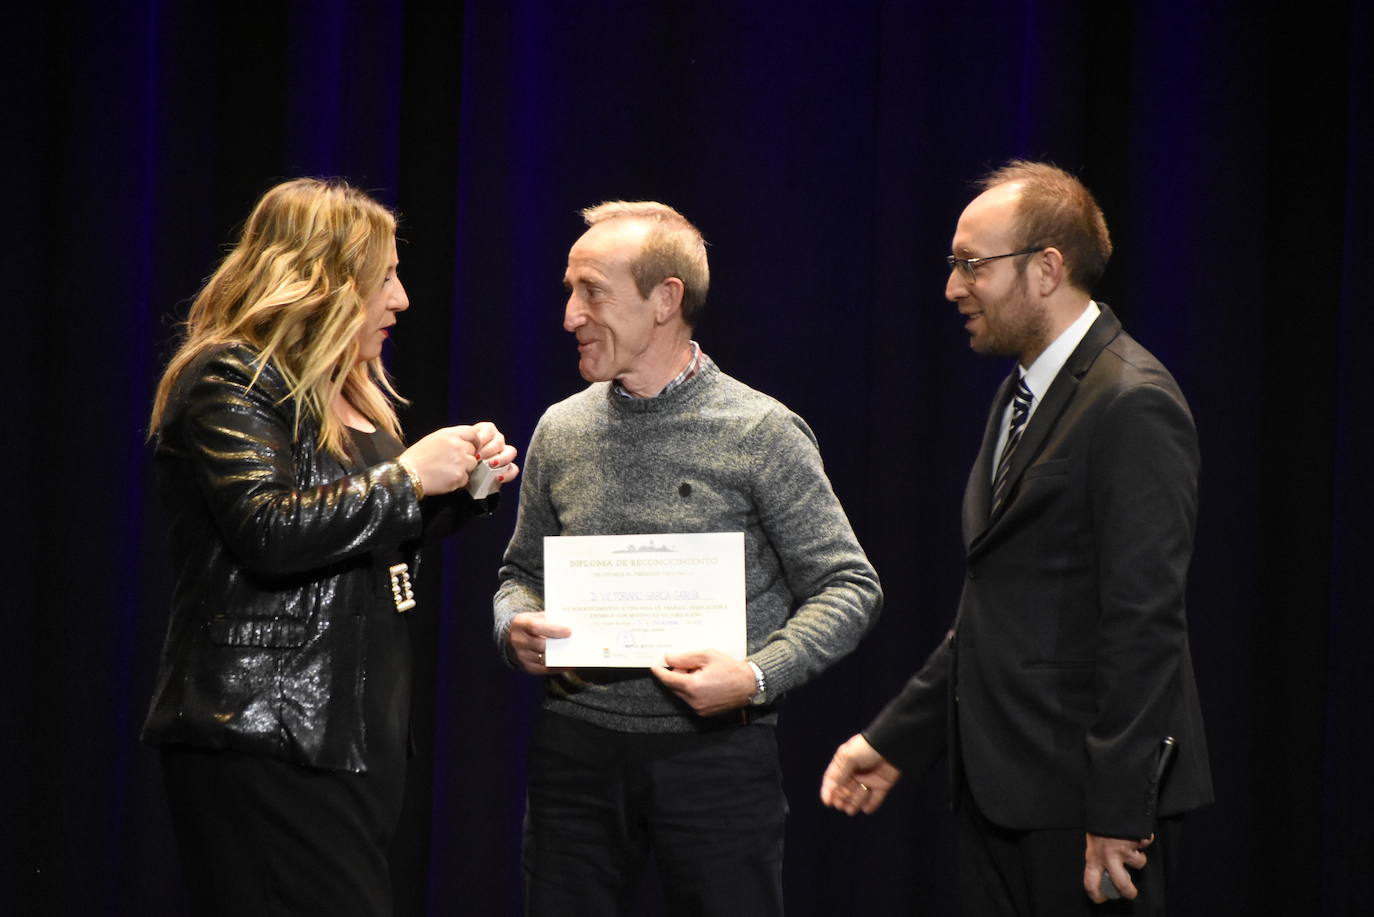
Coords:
pixel 633 599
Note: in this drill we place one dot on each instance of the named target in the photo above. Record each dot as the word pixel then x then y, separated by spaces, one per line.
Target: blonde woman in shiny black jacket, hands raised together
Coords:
pixel 282 703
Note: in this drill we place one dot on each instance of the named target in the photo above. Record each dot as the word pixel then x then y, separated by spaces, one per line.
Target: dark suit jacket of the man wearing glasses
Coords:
pixel 1070 659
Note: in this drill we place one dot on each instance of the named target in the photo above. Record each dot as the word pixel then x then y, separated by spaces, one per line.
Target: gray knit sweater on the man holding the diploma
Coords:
pixel 602 464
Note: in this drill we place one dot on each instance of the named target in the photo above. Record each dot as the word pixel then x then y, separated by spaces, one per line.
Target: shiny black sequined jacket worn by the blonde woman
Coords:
pixel 278 549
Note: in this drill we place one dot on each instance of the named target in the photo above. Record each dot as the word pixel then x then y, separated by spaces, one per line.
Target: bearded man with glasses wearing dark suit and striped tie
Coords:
pixel 1067 673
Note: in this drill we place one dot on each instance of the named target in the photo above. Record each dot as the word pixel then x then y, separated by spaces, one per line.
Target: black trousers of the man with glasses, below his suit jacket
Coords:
pixel 1039 874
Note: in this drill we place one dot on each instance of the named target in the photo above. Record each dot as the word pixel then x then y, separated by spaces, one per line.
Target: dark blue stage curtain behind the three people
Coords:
pixel 826 151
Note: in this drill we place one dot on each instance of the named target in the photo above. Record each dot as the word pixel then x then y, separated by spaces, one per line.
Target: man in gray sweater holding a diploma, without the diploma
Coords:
pixel 679 761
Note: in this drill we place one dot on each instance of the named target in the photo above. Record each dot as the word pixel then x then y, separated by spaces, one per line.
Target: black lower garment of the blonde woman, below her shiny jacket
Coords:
pixel 264 838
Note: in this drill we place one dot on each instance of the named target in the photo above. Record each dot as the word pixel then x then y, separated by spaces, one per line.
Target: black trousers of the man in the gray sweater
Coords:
pixel 708 805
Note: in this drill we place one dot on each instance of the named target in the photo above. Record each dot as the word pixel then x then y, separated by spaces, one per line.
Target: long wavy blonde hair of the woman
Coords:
pixel 293 289
